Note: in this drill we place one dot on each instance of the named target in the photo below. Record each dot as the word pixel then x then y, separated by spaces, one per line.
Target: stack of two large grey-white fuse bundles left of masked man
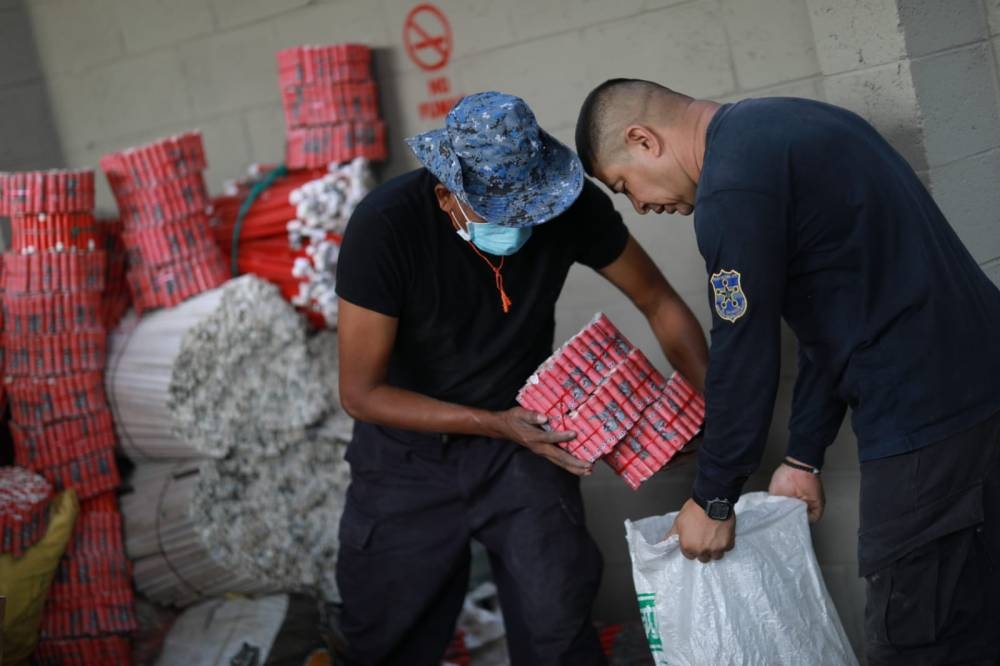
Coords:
pixel 252 401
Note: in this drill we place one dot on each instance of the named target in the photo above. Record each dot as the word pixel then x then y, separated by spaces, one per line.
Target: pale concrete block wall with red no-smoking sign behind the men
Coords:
pixel 120 72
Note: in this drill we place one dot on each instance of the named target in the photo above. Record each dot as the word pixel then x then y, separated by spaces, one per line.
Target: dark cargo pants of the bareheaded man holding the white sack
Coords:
pixel 929 549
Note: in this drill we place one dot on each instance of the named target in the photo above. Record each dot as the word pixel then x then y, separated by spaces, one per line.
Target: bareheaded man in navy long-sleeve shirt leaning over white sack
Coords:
pixel 805 212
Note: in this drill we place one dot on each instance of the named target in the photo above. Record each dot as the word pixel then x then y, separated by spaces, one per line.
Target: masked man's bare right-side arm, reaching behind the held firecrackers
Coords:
pixel 678 332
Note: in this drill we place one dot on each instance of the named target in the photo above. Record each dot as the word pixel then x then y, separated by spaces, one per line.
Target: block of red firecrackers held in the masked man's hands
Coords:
pixel 622 409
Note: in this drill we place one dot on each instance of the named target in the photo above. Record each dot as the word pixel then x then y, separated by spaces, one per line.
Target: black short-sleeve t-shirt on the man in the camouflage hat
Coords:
pixel 401 257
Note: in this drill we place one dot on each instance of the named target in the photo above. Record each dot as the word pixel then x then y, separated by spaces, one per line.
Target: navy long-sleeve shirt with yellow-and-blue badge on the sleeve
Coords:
pixel 804 211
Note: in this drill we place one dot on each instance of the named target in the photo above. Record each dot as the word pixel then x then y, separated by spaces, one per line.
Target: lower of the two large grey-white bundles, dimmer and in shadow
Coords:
pixel 200 529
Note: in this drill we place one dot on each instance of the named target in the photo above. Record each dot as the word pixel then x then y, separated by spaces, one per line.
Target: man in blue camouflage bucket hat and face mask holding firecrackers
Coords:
pixel 448 278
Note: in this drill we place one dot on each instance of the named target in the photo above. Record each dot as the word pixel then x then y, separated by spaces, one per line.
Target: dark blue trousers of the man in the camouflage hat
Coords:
pixel 415 502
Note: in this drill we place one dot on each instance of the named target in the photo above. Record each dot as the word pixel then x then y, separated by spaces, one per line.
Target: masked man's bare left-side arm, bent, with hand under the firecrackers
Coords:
pixel 366 340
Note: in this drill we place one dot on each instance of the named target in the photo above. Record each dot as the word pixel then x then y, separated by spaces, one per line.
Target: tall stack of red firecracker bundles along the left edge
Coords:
pixel 55 342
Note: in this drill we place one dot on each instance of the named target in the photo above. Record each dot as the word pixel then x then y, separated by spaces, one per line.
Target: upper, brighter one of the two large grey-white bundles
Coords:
pixel 184 382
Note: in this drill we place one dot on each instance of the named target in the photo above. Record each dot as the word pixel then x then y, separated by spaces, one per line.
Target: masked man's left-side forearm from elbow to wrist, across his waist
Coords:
pixel 398 408
